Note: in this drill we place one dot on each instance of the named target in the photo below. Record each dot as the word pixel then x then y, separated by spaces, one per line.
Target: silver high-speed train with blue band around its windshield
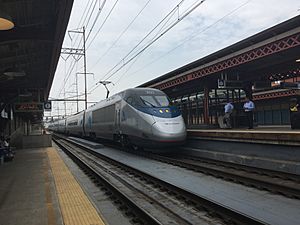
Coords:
pixel 140 117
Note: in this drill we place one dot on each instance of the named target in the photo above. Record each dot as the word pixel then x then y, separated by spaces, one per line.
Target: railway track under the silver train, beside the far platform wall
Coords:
pixel 273 181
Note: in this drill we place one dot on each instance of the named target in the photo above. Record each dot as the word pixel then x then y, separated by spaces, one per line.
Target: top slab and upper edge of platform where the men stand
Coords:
pixel 278 135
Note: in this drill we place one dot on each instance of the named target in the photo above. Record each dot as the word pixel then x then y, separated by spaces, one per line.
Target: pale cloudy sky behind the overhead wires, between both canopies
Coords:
pixel 114 31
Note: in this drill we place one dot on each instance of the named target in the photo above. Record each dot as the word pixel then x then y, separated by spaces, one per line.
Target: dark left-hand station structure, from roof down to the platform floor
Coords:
pixel 31 37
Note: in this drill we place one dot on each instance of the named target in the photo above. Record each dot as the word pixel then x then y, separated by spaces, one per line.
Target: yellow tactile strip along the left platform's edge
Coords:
pixel 74 204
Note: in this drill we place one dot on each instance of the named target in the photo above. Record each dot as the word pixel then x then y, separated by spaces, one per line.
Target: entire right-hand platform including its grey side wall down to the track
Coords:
pixel 269 147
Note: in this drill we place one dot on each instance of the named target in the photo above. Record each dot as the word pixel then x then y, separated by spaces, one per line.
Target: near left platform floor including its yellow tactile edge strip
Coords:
pixel 37 188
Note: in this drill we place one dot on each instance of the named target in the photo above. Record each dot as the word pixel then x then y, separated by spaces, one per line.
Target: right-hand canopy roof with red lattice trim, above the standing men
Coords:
pixel 270 55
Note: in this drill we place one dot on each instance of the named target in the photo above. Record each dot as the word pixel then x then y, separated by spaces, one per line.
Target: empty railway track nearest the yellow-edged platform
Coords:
pixel 147 199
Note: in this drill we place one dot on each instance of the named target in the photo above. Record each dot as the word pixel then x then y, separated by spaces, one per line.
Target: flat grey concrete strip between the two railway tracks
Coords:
pixel 265 206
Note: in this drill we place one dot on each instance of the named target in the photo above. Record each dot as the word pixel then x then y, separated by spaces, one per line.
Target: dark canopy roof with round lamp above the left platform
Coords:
pixel 30 47
